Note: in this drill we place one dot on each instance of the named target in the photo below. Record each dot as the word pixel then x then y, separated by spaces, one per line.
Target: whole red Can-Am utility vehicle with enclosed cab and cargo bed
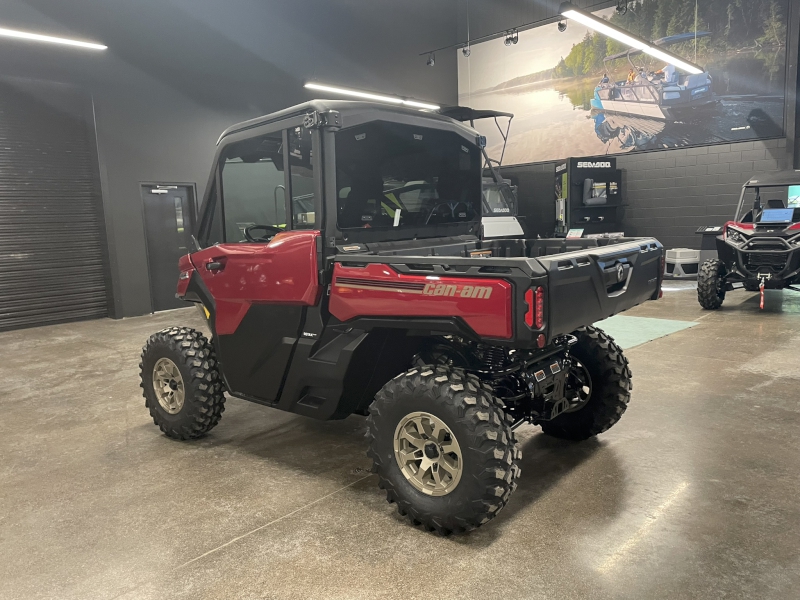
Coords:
pixel 340 270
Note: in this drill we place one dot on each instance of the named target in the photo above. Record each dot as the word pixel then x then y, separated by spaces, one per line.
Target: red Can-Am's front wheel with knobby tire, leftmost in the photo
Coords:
pixel 181 360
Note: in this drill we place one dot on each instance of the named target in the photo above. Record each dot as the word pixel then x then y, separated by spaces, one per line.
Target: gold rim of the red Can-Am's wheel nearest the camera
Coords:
pixel 428 454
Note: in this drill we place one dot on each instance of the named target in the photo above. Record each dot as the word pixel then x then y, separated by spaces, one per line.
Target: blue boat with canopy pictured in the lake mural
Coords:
pixel 664 95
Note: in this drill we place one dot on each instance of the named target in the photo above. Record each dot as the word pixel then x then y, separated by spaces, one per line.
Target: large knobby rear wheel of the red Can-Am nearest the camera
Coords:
pixel 469 413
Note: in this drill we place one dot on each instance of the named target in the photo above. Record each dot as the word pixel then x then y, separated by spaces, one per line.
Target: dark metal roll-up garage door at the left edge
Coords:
pixel 53 265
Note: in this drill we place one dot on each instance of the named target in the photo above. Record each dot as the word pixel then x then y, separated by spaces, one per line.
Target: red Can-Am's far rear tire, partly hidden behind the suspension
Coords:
pixel 610 388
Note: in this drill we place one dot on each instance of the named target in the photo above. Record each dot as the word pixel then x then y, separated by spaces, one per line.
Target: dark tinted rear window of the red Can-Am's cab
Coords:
pixel 391 175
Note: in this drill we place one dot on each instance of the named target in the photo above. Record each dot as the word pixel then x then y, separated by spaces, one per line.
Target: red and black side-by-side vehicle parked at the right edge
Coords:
pixel 760 248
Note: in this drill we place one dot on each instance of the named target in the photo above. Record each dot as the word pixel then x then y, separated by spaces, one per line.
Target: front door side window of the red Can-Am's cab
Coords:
pixel 253 190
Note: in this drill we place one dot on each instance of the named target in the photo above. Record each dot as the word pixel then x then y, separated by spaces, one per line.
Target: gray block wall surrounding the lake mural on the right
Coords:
pixel 669 193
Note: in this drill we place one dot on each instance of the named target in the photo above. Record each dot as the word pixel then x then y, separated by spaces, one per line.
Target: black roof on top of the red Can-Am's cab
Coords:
pixel 345 108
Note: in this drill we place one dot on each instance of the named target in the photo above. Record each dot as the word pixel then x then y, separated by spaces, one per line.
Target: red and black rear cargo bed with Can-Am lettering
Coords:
pixel 584 281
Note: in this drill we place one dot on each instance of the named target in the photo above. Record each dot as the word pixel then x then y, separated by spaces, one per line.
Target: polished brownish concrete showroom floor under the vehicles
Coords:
pixel 694 494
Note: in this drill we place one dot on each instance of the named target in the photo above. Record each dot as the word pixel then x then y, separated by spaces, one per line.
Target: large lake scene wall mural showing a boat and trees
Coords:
pixel 572 94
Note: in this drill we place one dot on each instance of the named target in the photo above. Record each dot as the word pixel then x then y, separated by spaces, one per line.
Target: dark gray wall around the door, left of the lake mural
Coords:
pixel 178 72
